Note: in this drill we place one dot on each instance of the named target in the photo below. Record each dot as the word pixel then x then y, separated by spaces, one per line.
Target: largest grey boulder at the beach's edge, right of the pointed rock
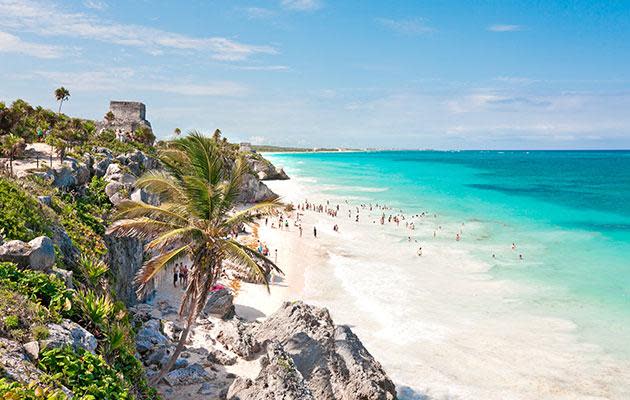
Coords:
pixel 332 360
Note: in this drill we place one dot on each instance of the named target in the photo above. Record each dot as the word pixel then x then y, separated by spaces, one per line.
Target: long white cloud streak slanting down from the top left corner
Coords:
pixel 51 20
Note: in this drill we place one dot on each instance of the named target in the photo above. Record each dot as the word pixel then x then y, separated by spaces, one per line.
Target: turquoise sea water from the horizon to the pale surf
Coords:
pixel 567 211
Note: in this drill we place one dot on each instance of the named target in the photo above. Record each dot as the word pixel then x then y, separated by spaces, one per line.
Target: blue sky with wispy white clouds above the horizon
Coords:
pixel 321 73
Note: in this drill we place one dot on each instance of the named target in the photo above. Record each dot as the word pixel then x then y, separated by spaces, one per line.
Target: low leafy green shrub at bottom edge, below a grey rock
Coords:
pixel 87 375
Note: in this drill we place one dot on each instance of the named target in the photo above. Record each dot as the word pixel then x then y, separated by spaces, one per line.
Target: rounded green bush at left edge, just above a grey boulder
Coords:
pixel 21 216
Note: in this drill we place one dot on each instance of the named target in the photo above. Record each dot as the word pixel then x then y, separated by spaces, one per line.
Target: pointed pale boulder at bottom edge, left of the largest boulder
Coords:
pixel 278 379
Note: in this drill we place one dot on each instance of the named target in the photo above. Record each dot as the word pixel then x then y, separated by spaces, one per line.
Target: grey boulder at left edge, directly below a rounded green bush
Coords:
pixel 38 254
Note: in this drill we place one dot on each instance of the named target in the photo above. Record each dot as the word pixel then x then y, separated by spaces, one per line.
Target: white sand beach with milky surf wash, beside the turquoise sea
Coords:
pixel 439 325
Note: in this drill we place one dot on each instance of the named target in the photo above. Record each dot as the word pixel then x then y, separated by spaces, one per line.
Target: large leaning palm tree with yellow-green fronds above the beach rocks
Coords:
pixel 197 190
